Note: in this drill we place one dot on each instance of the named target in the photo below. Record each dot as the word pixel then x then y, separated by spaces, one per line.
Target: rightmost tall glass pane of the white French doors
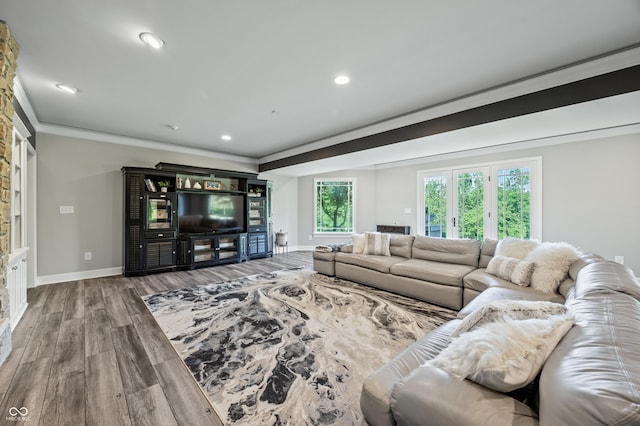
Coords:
pixel 514 202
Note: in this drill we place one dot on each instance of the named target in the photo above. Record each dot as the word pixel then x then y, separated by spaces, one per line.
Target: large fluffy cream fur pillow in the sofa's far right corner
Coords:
pixel 553 261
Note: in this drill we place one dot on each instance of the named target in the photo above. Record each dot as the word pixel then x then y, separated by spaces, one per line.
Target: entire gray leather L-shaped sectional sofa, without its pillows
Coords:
pixel 592 377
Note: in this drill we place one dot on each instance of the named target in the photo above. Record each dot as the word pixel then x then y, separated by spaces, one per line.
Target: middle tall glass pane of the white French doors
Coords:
pixel 471 205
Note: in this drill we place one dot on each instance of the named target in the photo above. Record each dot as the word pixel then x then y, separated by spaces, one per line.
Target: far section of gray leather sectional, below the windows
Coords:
pixel 446 272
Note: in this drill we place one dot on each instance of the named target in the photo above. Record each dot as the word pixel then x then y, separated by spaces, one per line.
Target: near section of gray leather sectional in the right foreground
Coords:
pixel 592 377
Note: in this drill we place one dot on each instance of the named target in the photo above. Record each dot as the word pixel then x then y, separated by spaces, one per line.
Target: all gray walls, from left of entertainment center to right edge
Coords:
pixel 590 197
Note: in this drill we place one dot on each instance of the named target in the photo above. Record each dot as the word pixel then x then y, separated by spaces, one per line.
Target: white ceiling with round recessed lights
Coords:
pixel 263 71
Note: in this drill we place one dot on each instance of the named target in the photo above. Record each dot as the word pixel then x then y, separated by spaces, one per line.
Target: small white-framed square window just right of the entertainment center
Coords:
pixel 335 206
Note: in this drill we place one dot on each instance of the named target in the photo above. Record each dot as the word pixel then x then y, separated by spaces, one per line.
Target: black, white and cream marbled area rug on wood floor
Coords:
pixel 289 347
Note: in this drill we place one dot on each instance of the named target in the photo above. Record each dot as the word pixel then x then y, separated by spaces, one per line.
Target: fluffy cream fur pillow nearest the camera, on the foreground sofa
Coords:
pixel 504 356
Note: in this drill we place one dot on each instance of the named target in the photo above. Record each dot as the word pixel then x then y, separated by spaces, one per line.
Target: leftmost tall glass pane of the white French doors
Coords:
pixel 435 206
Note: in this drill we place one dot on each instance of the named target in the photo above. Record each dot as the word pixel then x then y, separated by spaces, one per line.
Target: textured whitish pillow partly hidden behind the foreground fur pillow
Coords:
pixel 506 310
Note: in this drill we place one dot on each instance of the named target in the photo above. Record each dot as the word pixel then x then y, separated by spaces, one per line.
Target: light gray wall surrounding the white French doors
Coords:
pixel 591 194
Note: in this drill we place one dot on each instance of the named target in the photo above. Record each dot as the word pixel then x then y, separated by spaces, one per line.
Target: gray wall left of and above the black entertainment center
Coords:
pixel 86 174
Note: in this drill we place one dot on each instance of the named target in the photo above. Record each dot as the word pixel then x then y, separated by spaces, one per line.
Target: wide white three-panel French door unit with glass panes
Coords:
pixel 496 200
